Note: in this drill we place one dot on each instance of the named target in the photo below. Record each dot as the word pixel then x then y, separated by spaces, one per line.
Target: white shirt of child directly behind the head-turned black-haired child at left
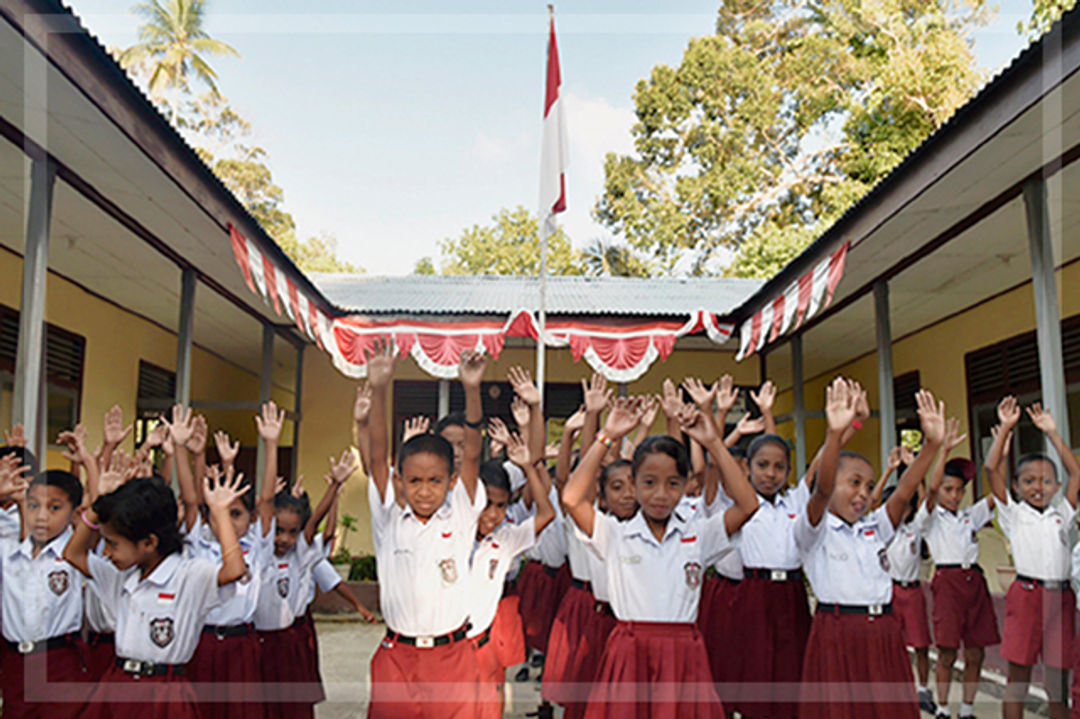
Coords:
pixel 240 600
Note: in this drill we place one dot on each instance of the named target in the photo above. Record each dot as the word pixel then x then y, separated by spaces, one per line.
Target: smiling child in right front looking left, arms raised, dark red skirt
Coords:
pixel 856 666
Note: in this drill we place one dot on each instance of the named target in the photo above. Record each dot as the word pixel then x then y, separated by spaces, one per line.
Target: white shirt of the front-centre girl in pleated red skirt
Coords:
pixel 652 581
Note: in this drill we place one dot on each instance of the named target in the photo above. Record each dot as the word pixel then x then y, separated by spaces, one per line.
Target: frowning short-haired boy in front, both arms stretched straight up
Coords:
pixel 425 667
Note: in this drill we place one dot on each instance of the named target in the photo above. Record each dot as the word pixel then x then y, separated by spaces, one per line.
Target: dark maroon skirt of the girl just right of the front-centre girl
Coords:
pixel 772 625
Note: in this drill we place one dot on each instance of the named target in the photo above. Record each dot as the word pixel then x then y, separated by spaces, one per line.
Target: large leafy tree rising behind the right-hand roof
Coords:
pixel 773 127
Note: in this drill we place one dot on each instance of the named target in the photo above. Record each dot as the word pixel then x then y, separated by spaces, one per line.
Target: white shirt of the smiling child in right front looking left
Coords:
pixel 846 563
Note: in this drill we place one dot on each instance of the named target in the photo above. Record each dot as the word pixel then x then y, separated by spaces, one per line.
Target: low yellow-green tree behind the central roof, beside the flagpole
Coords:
pixel 510 246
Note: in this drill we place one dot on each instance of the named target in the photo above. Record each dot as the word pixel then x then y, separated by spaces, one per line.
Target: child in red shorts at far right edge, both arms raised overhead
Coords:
pixel 1041 604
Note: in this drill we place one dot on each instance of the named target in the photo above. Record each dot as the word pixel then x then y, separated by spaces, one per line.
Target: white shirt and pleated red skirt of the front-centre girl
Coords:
pixel 655 662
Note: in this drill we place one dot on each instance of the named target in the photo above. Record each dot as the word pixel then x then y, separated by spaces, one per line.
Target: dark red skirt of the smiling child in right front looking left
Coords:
pixel 857 668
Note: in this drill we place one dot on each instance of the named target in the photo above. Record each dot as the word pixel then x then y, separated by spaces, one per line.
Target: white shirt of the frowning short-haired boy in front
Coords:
pixel 424 567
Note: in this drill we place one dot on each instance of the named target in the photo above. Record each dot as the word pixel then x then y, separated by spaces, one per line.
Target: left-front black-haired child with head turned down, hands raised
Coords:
pixel 161 606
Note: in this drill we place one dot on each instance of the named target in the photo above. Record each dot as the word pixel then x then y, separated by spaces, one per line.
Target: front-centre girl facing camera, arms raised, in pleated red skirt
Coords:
pixel 655 661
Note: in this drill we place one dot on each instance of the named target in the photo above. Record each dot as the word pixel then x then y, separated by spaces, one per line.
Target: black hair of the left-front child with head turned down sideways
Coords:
pixel 142 508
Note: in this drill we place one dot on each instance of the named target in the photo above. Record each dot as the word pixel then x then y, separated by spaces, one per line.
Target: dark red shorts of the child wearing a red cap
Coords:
pixel 964 614
